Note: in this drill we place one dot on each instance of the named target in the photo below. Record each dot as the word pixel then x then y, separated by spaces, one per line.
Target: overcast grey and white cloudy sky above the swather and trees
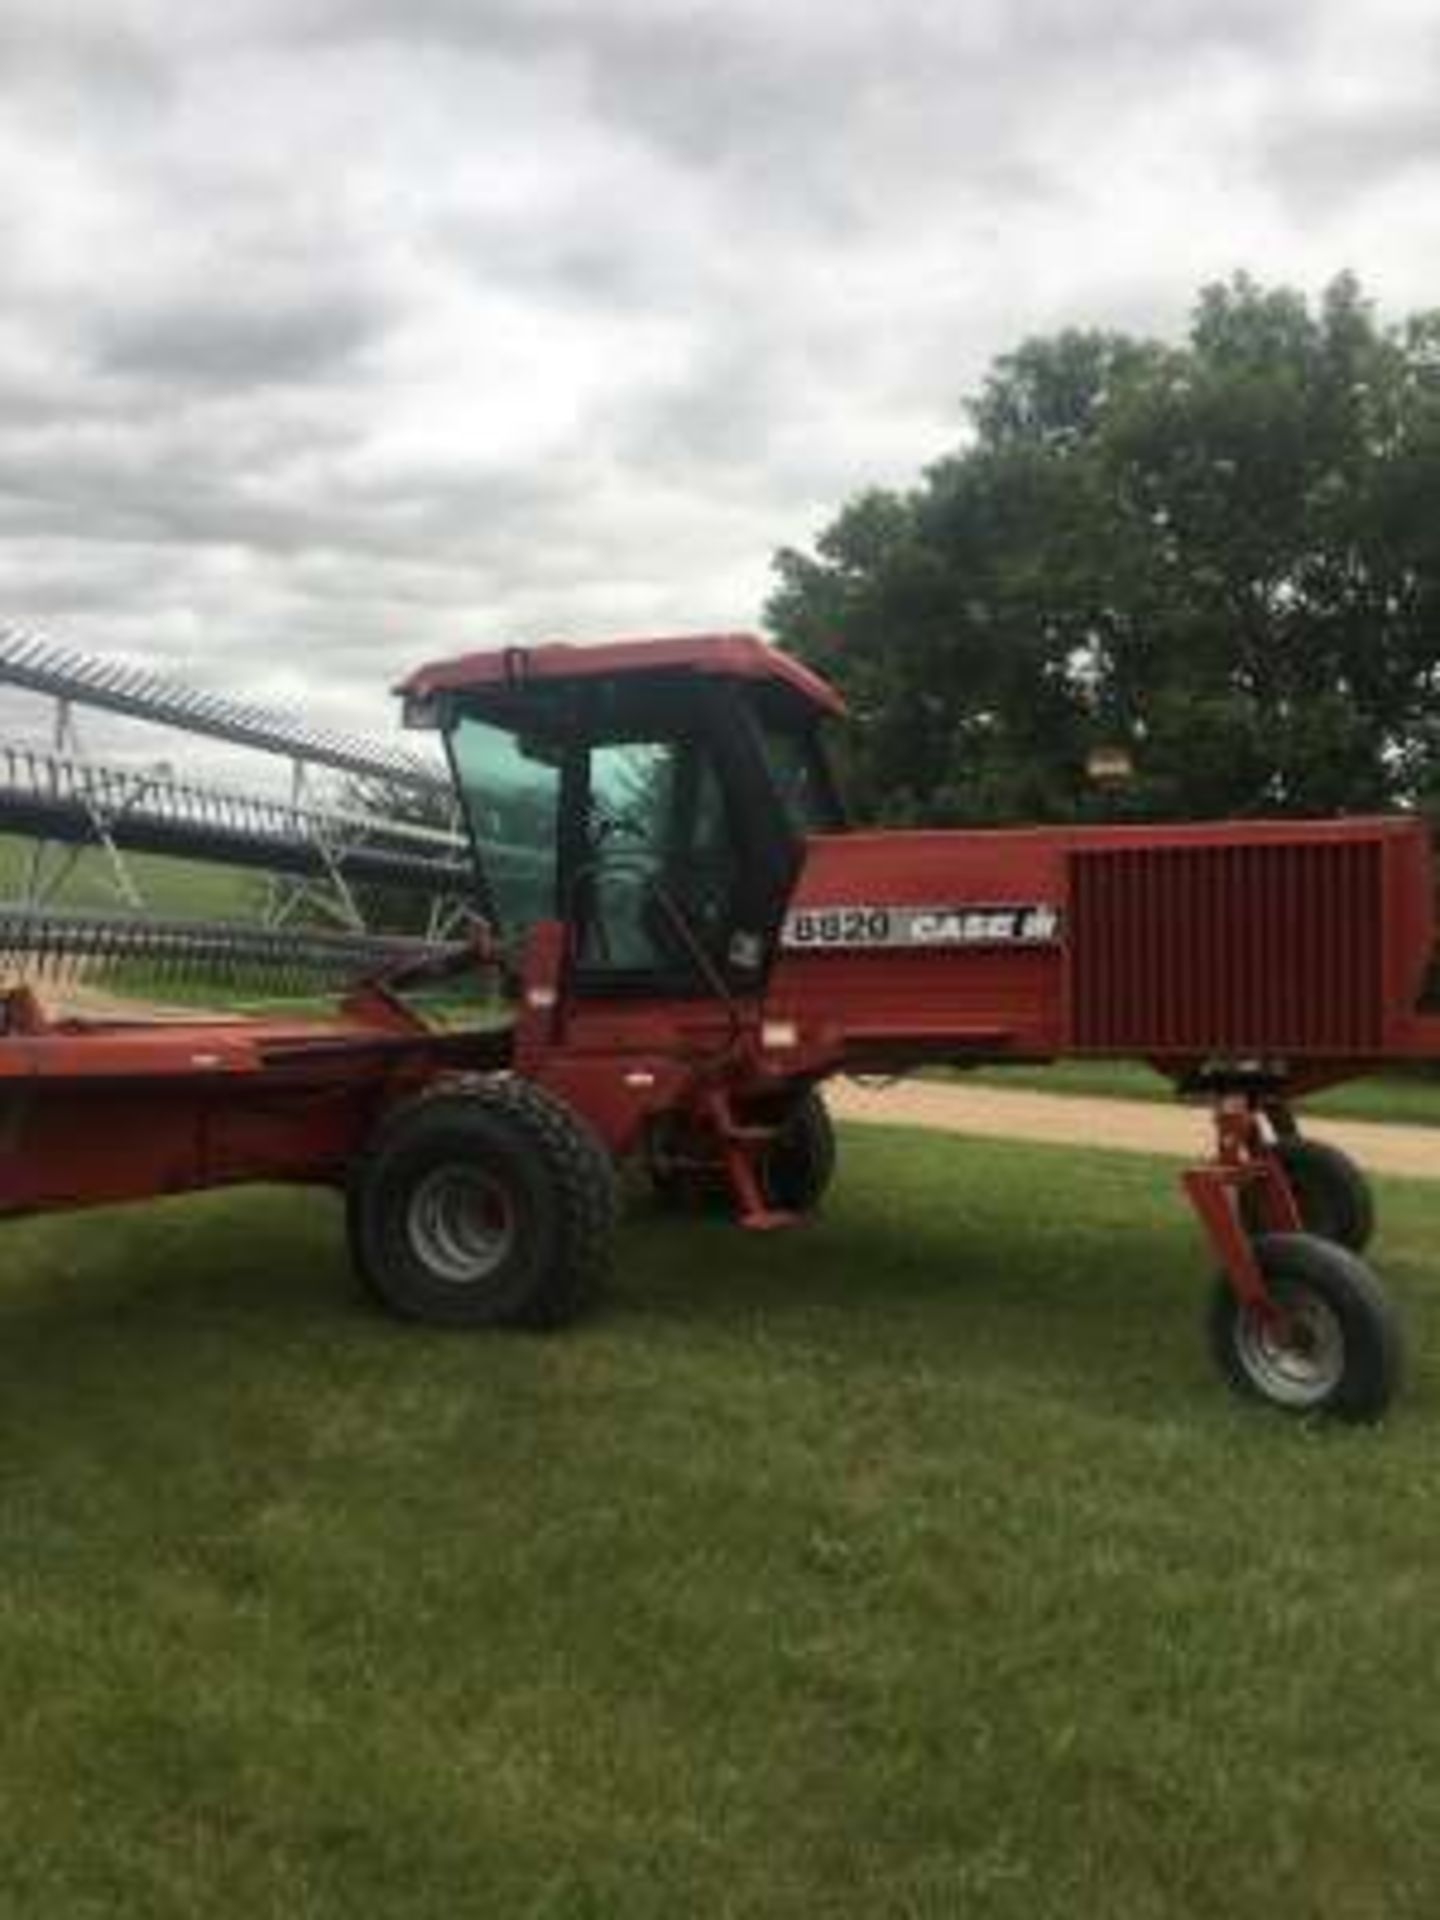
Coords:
pixel 347 333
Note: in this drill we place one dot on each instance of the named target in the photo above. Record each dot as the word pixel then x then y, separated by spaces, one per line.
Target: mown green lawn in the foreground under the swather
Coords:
pixel 911 1566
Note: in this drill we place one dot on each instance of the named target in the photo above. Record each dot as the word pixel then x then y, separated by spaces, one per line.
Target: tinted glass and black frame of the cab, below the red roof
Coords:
pixel 646 815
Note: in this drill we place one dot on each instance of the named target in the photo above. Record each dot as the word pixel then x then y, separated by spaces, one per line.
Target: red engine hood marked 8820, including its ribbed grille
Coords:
pixel 1280 942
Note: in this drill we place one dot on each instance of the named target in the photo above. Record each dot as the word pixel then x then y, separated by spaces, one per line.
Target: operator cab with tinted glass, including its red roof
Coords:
pixel 654 796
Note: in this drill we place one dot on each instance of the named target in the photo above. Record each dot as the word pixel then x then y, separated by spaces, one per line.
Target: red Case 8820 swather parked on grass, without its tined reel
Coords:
pixel 704 946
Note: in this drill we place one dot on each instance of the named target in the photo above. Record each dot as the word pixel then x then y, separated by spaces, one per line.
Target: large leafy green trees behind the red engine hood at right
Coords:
pixel 1222 556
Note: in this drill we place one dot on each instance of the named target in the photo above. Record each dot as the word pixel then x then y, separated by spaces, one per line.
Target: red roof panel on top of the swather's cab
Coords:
pixel 731 656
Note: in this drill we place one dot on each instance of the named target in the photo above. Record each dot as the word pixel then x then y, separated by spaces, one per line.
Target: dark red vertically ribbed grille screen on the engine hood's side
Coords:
pixel 1228 949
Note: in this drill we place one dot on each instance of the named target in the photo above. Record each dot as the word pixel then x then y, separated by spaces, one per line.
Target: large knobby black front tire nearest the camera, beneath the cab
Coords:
pixel 483 1207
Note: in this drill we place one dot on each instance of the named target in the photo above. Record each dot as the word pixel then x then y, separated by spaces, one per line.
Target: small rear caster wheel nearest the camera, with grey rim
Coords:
pixel 1335 1345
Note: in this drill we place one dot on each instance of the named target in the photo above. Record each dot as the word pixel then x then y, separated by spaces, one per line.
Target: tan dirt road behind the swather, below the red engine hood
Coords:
pixel 1120 1126
